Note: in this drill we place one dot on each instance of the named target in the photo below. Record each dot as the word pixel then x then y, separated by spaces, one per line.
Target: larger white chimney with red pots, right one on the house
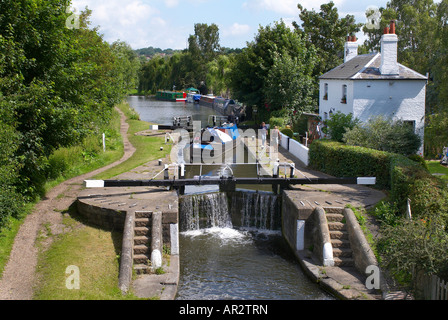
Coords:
pixel 389 51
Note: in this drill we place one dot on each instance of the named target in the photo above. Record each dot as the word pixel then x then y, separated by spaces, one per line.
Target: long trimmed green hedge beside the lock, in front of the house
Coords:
pixel 395 173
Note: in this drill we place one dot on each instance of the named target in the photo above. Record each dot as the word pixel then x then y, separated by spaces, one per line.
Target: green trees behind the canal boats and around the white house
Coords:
pixel 277 72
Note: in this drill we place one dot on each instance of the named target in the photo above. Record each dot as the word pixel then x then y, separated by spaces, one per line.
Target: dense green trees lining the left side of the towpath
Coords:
pixel 59 82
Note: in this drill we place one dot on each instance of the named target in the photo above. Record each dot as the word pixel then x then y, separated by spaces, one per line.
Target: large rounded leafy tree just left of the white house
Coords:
pixel 252 80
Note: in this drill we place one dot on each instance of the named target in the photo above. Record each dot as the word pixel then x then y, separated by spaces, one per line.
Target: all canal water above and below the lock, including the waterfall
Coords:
pixel 230 249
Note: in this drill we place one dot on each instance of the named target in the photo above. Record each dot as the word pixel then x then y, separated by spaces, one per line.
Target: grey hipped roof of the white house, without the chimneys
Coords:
pixel 367 67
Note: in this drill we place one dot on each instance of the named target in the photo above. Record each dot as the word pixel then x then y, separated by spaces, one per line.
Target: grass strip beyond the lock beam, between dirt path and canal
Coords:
pixel 147 148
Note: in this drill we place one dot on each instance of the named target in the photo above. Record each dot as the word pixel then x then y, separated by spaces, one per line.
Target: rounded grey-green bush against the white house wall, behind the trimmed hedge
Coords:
pixel 385 135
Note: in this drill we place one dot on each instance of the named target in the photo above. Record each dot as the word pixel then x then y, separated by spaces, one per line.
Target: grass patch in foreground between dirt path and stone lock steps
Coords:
pixel 94 251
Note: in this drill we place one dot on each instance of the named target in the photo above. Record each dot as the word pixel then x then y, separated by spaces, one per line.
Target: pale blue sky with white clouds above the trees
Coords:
pixel 168 23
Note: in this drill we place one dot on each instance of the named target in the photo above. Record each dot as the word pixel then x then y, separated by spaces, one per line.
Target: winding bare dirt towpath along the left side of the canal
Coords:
pixel 19 275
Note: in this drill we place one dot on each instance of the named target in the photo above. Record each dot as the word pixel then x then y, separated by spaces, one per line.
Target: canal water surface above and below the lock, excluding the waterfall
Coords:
pixel 226 262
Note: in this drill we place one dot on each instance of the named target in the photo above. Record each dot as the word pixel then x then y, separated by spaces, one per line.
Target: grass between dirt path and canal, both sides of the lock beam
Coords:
pixel 94 251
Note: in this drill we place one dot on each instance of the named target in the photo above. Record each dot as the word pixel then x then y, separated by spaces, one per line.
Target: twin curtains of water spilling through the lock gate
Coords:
pixel 244 210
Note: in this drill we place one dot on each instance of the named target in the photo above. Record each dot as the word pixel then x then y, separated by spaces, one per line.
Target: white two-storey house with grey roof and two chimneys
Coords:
pixel 375 84
